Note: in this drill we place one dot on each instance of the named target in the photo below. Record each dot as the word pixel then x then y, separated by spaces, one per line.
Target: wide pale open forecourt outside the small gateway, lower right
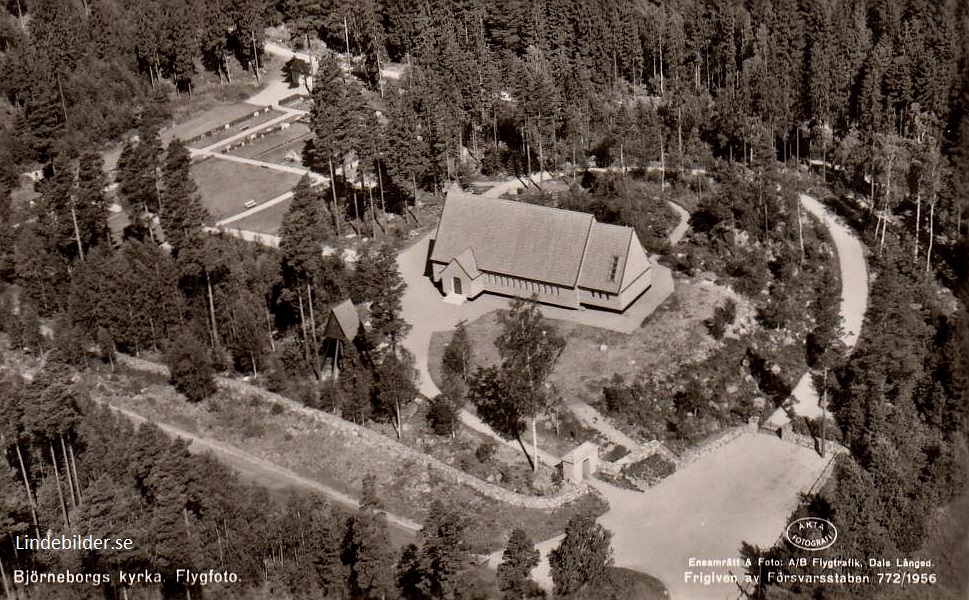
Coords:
pixel 742 492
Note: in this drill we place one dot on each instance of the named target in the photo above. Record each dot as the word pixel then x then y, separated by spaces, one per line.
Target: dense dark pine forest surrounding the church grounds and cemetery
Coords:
pixel 874 93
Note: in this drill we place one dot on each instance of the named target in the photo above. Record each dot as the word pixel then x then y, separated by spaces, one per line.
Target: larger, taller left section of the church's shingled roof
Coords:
pixel 514 238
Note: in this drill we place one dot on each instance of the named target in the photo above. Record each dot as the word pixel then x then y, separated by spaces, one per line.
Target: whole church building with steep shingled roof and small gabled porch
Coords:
pixel 562 257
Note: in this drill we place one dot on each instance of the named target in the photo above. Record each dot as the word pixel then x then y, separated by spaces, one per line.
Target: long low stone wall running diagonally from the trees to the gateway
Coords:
pixel 383 444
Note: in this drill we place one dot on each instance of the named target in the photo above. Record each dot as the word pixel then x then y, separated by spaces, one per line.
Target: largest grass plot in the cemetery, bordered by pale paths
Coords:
pixel 226 186
